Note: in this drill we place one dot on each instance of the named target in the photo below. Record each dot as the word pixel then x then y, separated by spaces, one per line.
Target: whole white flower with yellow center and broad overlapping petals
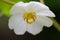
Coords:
pixel 30 17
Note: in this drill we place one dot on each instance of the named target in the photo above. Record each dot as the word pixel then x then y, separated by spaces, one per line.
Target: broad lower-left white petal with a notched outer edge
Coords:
pixel 18 24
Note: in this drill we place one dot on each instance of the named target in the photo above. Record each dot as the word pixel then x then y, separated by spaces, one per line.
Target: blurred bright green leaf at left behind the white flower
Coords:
pixel 5 8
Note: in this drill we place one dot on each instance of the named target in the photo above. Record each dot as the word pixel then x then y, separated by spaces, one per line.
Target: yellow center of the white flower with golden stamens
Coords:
pixel 29 17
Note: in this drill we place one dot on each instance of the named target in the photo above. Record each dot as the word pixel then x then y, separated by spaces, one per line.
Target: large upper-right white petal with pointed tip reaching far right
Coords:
pixel 40 9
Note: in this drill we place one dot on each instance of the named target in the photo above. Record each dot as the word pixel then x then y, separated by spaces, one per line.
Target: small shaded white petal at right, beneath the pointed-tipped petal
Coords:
pixel 45 21
